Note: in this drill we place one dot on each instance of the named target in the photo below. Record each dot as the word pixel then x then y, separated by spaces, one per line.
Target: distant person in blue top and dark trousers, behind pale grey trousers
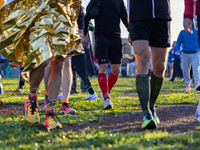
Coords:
pixel 177 63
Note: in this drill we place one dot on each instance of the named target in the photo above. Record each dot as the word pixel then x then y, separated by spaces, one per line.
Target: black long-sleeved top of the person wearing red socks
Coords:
pixel 108 24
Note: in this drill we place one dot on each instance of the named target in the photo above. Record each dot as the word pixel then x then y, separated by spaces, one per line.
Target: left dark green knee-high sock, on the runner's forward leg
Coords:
pixel 142 84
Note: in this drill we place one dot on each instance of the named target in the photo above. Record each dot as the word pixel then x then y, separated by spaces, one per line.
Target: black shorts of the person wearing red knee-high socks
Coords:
pixel 108 49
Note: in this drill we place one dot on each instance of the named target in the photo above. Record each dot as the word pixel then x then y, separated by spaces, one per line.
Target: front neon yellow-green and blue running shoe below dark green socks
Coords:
pixel 148 122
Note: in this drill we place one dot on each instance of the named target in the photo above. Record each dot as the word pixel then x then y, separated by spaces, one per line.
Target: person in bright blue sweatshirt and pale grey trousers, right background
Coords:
pixel 189 56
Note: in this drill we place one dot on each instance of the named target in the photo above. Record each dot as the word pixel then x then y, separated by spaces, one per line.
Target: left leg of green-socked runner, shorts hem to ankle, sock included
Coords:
pixel 142 55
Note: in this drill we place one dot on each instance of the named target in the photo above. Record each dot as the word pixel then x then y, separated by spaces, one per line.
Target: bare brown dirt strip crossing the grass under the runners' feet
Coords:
pixel 173 118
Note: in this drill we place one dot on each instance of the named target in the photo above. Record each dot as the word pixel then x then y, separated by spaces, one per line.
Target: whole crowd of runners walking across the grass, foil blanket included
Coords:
pixel 148 25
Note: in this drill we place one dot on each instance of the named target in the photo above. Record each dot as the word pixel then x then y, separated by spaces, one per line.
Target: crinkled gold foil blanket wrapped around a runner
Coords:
pixel 32 31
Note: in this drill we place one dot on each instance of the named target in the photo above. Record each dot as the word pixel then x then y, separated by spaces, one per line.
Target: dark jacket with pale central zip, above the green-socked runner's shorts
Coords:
pixel 148 9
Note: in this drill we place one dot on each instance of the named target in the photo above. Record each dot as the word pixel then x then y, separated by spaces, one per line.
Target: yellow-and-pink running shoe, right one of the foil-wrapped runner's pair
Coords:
pixel 51 122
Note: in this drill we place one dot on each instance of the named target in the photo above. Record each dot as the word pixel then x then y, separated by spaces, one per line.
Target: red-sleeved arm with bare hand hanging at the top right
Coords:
pixel 188 16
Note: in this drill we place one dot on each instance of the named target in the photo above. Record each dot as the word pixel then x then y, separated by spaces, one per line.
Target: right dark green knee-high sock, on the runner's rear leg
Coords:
pixel 156 84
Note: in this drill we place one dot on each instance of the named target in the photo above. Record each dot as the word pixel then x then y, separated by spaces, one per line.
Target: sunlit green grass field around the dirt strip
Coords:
pixel 17 133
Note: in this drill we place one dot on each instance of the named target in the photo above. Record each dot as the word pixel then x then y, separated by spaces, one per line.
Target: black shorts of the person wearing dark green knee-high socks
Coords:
pixel 156 31
